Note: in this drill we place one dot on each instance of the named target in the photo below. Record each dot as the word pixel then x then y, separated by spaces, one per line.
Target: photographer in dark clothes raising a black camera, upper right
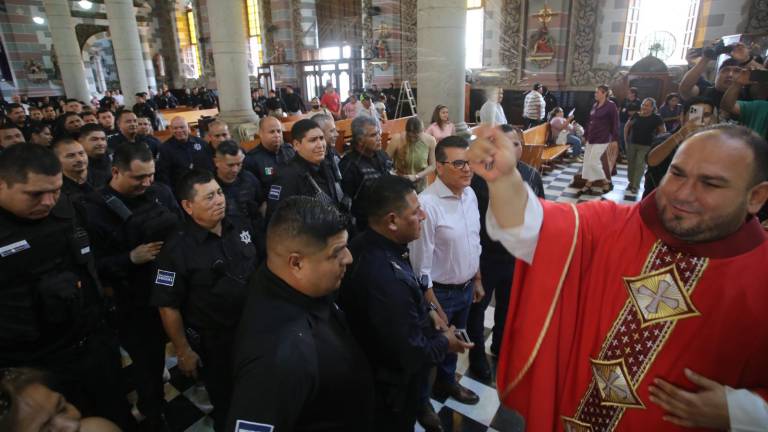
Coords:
pixel 693 84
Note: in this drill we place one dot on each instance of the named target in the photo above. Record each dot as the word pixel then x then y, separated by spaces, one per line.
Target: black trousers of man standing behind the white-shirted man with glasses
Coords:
pixel 497 273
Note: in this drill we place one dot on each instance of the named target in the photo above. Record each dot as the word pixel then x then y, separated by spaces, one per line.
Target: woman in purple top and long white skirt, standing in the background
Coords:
pixel 603 130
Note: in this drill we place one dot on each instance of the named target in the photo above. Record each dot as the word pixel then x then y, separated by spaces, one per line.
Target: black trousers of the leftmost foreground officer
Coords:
pixel 89 376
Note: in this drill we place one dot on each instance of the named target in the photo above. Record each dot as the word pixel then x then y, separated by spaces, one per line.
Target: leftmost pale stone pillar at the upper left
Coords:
pixel 67 49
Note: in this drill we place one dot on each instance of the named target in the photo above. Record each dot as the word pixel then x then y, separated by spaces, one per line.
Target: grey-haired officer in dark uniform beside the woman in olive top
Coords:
pixel 365 163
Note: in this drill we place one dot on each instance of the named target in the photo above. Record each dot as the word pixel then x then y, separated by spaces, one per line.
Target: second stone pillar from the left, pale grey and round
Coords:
pixel 124 33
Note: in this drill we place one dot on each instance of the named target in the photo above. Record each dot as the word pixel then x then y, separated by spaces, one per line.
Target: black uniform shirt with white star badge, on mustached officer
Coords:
pixel 205 276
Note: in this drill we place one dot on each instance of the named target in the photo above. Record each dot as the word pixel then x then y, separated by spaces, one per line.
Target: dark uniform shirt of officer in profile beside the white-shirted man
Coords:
pixel 384 303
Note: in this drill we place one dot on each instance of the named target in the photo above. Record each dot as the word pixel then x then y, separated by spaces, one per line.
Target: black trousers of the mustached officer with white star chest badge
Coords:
pixel 215 352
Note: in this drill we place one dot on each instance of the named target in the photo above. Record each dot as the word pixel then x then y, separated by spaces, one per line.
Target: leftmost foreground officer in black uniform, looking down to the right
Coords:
pixel 51 310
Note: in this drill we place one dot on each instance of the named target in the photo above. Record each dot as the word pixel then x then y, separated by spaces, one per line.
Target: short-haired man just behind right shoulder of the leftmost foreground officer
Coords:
pixel 74 168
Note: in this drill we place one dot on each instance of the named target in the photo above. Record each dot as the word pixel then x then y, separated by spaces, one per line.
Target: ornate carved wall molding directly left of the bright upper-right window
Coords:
pixel 581 70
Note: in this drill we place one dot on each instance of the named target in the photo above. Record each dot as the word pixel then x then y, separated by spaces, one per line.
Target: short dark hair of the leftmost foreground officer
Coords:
pixel 20 160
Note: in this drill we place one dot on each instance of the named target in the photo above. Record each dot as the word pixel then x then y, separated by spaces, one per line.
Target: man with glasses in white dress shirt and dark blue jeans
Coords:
pixel 448 252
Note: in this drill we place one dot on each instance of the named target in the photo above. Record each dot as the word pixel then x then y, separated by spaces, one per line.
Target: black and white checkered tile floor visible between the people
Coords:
pixel 188 405
